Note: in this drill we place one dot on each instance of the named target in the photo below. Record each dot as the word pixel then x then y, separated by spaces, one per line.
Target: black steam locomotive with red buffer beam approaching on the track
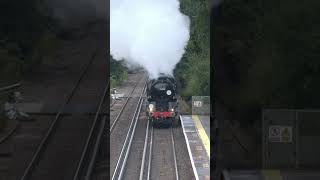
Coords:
pixel 162 103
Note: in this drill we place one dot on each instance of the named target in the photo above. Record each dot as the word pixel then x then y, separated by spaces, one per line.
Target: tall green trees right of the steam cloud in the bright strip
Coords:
pixel 193 71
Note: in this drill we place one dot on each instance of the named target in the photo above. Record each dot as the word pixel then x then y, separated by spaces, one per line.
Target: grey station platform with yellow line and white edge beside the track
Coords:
pixel 196 130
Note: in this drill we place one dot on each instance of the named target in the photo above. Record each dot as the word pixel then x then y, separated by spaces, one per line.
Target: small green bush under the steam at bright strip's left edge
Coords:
pixel 118 72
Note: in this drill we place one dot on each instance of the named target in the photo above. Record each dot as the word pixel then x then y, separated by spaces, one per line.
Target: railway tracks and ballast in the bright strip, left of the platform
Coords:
pixel 139 151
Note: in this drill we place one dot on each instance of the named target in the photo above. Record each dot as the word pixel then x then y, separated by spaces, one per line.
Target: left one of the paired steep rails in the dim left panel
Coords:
pixel 93 127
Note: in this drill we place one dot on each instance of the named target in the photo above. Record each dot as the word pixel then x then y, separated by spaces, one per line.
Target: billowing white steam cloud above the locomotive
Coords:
pixel 151 33
